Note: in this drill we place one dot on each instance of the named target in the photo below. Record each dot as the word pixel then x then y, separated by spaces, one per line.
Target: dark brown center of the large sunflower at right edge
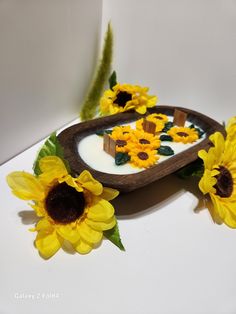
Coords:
pixel 224 185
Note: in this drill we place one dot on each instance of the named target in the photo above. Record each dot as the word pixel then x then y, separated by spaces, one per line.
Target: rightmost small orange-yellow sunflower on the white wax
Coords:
pixel 183 134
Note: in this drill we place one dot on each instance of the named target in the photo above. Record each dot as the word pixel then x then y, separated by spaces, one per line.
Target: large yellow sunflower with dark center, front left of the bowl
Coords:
pixel 72 210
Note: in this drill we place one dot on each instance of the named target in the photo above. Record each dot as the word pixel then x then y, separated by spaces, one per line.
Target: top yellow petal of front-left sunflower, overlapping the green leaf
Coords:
pixel 52 168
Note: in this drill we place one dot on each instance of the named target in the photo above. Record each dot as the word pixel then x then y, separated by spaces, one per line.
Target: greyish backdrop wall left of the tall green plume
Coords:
pixel 48 53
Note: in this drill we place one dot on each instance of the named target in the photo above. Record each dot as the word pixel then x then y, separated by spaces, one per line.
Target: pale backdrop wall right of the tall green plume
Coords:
pixel 184 50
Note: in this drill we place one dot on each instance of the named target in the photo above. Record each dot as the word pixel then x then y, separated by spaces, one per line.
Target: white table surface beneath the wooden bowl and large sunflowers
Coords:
pixel 176 261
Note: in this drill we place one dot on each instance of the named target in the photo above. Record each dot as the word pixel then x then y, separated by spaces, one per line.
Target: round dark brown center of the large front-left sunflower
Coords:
pixel 64 204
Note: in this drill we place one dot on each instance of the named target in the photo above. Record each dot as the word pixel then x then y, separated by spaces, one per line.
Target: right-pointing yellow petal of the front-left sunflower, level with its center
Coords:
pixel 102 211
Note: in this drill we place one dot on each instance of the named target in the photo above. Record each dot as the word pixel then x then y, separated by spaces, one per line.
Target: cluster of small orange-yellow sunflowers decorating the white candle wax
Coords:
pixel 142 149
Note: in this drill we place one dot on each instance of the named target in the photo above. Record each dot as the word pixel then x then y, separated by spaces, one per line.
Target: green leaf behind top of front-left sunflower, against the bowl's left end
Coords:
pixel 51 147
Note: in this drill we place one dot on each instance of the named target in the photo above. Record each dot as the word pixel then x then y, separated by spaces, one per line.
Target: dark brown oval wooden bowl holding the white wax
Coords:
pixel 70 137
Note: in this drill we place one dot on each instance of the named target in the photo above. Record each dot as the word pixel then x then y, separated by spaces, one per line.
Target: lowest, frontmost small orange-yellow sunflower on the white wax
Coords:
pixel 143 157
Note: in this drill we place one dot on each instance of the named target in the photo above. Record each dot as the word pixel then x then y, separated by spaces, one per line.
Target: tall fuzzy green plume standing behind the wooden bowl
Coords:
pixel 91 103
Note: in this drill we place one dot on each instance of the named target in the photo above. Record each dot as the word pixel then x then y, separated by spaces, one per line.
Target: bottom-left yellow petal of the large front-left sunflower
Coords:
pixel 47 244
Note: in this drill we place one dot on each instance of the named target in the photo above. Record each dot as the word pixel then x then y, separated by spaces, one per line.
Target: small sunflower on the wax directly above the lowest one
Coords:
pixel 143 139
